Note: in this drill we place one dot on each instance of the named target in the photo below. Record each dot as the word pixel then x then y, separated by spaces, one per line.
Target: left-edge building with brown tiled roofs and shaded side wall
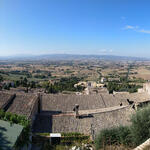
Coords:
pixel 21 104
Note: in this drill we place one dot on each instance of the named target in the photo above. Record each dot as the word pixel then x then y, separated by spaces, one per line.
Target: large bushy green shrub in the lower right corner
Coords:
pixel 136 134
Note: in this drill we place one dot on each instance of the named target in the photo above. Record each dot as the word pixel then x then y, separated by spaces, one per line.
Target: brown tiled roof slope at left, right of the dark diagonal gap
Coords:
pixel 23 104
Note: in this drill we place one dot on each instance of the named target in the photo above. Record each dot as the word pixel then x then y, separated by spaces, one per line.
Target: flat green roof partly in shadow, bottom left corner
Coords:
pixel 9 134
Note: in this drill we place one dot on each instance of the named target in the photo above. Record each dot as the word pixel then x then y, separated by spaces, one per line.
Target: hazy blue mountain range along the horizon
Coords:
pixel 73 57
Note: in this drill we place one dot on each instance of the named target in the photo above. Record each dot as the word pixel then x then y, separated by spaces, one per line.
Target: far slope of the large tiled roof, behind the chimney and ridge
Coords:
pixel 62 102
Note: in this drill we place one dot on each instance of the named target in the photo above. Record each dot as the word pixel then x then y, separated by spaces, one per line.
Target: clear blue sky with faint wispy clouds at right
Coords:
pixel 111 27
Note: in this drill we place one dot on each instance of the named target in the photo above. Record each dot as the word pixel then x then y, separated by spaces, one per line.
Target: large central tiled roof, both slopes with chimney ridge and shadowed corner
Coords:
pixel 96 112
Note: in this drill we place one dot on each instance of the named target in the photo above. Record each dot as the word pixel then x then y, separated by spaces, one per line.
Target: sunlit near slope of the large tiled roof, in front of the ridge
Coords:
pixel 96 123
